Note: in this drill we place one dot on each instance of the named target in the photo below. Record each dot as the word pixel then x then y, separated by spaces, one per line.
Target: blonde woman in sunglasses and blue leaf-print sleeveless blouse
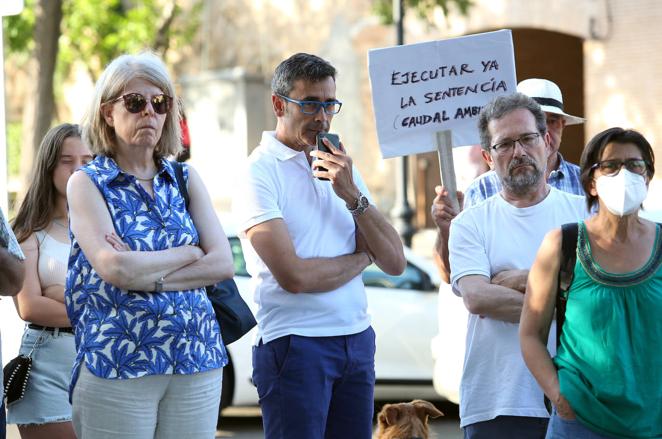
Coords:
pixel 150 353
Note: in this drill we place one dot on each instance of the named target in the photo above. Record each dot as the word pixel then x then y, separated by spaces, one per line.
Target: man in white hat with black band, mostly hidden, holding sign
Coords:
pixel 560 174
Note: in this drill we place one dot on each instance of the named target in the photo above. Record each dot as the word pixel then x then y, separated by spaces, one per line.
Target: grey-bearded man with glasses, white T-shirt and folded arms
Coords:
pixel 492 245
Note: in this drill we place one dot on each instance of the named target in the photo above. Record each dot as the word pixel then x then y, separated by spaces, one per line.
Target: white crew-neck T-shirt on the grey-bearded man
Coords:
pixel 485 239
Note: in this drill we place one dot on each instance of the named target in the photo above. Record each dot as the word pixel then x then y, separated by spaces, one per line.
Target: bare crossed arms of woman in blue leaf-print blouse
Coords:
pixel 184 267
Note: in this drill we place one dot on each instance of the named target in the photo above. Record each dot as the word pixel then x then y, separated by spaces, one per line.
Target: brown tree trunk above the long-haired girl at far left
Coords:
pixel 38 112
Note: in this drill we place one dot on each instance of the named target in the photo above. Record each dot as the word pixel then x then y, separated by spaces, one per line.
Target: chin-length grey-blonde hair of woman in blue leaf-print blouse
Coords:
pixel 99 135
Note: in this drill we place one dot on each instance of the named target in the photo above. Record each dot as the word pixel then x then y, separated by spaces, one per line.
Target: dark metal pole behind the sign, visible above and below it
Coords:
pixel 402 212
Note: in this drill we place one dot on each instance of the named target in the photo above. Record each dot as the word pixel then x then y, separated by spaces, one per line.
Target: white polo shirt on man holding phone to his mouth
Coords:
pixel 278 183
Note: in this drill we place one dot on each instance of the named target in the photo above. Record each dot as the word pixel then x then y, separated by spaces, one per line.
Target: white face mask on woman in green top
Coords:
pixel 622 193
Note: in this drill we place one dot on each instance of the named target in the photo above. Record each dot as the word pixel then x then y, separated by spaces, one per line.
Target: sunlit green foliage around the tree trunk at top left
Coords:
pixel 96 31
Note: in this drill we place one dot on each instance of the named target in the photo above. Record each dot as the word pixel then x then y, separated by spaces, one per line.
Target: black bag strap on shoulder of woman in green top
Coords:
pixel 569 234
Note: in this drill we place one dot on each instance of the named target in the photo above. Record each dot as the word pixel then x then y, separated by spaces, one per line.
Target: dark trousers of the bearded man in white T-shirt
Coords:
pixel 507 427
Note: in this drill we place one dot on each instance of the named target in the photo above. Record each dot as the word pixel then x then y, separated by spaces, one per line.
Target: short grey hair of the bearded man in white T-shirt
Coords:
pixel 502 105
